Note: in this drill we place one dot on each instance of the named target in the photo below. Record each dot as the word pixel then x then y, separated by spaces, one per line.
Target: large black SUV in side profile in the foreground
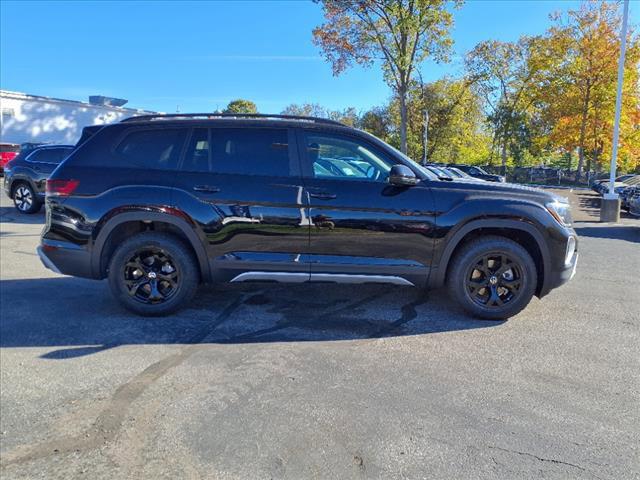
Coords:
pixel 159 204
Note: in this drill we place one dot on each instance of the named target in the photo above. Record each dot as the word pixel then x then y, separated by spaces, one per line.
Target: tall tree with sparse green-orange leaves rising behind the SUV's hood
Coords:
pixel 399 33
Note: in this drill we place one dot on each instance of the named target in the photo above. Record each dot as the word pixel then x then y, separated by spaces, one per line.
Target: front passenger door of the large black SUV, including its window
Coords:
pixel 362 228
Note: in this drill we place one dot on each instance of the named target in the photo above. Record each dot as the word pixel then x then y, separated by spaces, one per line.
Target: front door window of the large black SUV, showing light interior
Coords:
pixel 345 159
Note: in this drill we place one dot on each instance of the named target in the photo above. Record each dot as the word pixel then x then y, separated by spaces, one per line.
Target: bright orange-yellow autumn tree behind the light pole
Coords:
pixel 580 100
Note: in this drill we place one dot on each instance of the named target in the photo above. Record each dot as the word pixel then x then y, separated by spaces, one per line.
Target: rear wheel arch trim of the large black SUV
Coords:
pixel 122 225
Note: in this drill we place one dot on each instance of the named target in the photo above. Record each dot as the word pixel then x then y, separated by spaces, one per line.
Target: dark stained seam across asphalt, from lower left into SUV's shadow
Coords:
pixel 108 423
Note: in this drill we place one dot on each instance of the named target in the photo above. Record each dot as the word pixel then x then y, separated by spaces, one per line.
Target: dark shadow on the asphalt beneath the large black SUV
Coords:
pixel 79 317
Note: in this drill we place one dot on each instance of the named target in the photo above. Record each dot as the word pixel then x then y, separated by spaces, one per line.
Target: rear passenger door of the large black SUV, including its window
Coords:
pixel 243 187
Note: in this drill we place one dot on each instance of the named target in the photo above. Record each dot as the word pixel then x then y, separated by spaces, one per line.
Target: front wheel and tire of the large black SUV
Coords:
pixel 492 278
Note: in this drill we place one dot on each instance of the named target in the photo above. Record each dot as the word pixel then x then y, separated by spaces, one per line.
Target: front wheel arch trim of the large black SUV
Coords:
pixel 521 232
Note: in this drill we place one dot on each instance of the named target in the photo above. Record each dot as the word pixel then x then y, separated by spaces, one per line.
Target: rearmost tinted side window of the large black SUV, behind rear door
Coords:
pixel 157 149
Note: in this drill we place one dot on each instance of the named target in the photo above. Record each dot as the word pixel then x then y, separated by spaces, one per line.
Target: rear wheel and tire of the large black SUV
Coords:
pixel 148 259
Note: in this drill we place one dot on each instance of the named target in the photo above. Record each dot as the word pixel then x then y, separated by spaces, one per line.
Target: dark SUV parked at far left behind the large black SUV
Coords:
pixel 26 174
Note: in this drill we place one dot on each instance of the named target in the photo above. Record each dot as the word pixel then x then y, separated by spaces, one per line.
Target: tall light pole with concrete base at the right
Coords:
pixel 610 207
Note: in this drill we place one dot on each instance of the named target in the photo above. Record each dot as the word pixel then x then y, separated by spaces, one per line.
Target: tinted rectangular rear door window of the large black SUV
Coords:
pixel 250 151
